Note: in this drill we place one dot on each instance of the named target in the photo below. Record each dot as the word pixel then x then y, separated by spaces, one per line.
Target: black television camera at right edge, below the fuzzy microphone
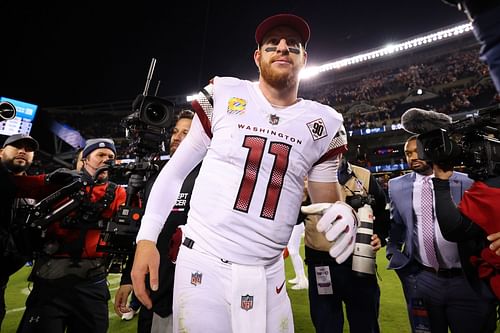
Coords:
pixel 470 143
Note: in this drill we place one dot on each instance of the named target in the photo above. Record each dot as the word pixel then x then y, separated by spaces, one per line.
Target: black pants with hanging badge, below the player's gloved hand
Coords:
pixel 360 294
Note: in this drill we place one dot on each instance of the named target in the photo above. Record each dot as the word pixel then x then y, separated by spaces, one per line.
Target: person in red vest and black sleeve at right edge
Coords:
pixel 468 224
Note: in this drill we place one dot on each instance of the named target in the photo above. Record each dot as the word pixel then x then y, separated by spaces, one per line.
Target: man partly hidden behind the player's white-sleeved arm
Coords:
pixel 159 317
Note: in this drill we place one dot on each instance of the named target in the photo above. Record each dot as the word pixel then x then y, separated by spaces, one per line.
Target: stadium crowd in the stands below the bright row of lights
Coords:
pixel 449 84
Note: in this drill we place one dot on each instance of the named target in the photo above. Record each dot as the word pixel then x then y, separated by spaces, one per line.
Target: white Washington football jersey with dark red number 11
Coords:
pixel 249 190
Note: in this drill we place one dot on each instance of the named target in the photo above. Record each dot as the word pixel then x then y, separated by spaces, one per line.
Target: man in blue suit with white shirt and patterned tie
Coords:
pixel 437 293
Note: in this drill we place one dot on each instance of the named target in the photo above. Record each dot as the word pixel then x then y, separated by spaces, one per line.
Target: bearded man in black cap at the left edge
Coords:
pixel 16 156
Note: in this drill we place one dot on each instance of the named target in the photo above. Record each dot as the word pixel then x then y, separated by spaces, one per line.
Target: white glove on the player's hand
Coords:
pixel 339 223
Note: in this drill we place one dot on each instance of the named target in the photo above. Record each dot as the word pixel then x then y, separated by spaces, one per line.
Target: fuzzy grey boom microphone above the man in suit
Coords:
pixel 418 121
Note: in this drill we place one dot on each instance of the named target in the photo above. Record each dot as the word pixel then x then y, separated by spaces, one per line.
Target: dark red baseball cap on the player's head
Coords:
pixel 293 21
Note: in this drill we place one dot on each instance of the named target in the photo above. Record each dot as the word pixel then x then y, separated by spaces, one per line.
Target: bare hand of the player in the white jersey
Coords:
pixel 146 260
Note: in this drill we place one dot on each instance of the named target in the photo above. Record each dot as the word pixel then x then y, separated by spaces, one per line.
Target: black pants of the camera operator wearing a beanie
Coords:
pixel 77 308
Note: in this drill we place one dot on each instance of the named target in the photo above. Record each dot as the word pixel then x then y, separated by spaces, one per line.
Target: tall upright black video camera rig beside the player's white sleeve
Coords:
pixel 146 130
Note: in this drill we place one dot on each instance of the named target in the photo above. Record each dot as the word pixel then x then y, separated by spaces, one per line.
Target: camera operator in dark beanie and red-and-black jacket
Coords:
pixel 70 290
